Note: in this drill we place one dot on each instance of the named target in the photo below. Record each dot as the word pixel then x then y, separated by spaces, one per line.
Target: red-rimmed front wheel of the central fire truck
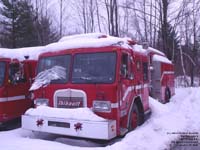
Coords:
pixel 134 118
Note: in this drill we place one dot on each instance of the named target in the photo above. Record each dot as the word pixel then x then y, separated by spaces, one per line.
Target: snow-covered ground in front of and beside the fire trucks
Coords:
pixel 182 114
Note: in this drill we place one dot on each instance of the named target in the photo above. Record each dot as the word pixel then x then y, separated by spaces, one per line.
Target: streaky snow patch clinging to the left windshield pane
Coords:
pixel 45 77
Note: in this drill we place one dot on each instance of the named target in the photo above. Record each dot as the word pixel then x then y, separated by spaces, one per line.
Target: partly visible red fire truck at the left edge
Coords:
pixel 15 80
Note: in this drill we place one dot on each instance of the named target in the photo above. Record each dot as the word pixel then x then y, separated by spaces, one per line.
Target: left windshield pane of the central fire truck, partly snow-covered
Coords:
pixel 47 65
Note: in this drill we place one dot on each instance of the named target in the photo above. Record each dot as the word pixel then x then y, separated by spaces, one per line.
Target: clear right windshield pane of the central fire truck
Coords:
pixel 94 68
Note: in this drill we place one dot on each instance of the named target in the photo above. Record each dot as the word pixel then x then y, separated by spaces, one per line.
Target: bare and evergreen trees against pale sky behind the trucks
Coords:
pixel 172 26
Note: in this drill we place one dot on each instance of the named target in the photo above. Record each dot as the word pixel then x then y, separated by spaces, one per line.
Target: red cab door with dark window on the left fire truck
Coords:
pixel 17 89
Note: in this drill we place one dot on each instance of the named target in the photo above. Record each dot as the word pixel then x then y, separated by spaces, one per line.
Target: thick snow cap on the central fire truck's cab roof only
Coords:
pixel 91 40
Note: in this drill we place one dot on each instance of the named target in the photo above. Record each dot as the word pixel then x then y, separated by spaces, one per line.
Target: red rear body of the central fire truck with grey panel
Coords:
pixel 161 75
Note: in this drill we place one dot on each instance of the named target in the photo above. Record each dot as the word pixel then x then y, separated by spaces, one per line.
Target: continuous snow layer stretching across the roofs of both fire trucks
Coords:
pixel 90 40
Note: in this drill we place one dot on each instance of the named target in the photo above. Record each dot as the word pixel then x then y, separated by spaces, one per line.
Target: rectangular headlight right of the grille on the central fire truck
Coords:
pixel 101 106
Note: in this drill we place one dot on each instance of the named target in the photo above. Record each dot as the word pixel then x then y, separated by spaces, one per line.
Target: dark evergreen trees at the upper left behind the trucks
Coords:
pixel 22 27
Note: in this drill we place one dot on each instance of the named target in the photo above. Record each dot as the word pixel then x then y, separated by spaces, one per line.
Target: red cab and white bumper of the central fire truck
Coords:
pixel 106 75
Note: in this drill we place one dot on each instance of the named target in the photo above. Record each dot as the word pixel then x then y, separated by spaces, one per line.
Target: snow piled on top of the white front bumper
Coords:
pixel 76 113
